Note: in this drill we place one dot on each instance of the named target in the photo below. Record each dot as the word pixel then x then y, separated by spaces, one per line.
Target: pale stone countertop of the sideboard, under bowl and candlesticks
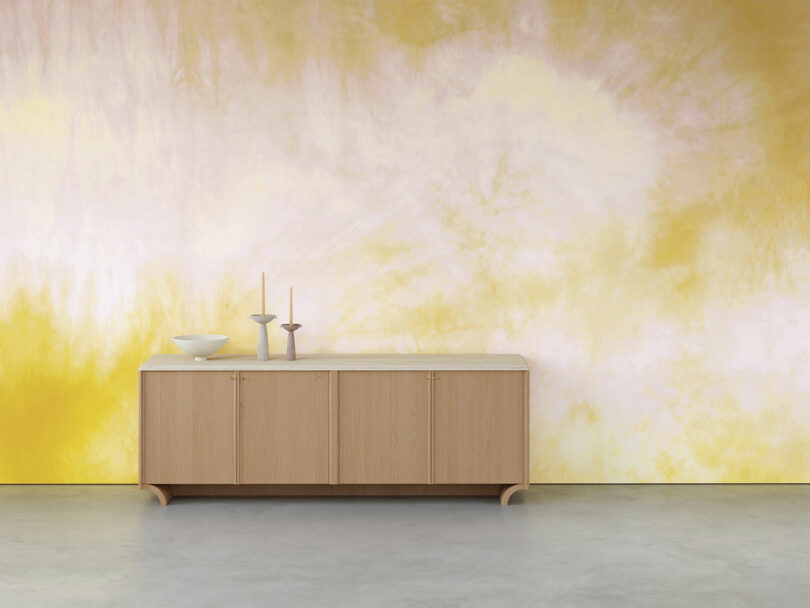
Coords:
pixel 339 363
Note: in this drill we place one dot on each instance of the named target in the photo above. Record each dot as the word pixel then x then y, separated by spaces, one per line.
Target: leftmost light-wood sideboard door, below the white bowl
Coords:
pixel 188 427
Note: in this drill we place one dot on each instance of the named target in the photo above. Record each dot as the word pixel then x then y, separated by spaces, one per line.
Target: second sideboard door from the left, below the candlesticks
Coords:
pixel 284 427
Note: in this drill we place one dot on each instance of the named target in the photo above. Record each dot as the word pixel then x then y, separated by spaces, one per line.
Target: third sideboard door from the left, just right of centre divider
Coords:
pixel 383 427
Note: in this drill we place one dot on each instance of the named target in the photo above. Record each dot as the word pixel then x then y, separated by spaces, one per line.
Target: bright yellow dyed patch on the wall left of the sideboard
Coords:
pixel 67 413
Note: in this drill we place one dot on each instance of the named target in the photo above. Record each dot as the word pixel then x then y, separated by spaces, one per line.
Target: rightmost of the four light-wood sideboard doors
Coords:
pixel 478 427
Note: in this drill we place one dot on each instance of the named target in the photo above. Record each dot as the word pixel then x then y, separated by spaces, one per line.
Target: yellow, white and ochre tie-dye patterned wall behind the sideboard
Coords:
pixel 616 190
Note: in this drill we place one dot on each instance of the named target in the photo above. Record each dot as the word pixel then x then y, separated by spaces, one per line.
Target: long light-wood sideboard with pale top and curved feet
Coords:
pixel 334 425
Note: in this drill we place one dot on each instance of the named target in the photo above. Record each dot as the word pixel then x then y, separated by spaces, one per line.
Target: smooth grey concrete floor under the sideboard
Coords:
pixel 554 546
